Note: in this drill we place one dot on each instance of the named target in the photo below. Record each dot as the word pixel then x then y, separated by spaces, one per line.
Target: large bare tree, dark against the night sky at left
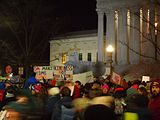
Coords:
pixel 26 26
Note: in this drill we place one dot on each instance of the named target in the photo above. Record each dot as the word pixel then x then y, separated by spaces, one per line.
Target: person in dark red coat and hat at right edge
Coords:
pixel 154 103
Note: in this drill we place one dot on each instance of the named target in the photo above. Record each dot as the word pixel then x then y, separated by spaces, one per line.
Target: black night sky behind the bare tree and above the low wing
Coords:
pixel 34 22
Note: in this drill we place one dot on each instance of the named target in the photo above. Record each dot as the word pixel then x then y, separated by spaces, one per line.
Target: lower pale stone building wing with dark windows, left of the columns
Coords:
pixel 75 46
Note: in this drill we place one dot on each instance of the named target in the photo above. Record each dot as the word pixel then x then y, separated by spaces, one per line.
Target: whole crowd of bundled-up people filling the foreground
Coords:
pixel 68 100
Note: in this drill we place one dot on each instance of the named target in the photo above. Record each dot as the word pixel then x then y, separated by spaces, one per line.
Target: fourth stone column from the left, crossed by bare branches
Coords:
pixel 134 47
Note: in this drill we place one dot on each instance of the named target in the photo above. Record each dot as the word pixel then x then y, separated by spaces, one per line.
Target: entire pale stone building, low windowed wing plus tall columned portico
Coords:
pixel 128 25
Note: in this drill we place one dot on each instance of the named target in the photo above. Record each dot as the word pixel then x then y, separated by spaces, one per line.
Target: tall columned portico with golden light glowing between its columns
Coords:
pixel 129 26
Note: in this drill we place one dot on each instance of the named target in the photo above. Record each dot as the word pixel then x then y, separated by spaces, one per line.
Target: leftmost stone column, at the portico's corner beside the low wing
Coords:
pixel 100 36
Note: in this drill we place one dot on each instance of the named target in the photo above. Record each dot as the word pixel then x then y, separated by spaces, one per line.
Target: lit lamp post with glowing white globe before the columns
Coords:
pixel 109 50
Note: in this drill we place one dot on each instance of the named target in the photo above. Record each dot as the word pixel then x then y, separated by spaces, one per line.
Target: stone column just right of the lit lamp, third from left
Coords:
pixel 122 37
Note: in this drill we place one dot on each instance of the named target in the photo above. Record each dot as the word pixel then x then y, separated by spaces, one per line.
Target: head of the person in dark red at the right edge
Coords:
pixel 155 88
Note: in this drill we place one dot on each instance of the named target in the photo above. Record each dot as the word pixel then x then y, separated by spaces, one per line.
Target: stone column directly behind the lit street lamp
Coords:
pixel 110 31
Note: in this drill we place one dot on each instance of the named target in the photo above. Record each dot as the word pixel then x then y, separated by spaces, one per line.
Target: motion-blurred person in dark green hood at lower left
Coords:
pixel 24 107
